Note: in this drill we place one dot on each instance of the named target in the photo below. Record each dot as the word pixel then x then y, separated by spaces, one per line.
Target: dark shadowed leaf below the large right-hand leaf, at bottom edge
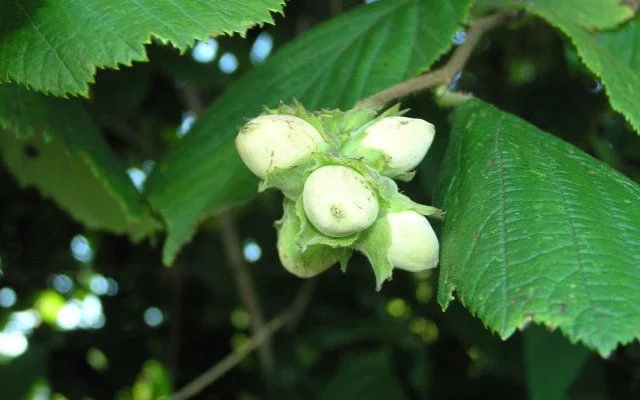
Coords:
pixel 551 363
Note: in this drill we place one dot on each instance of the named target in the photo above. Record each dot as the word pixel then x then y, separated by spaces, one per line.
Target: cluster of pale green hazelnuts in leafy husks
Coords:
pixel 337 171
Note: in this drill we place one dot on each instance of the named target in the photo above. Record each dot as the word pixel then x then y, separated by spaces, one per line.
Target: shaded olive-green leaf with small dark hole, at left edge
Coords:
pixel 53 145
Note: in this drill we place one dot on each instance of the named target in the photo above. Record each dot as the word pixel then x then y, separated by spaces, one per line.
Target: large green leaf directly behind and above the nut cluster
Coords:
pixel 332 65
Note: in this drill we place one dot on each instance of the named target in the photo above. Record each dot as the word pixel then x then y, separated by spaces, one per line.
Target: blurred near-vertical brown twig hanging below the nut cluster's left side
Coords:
pixel 246 288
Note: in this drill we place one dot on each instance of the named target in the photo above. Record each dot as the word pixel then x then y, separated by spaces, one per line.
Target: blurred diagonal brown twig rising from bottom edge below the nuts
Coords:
pixel 229 362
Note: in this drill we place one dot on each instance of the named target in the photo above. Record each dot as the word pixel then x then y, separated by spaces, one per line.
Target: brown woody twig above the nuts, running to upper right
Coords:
pixel 442 75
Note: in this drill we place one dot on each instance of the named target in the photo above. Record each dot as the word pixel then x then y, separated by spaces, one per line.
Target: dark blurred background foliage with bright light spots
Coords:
pixel 89 315
